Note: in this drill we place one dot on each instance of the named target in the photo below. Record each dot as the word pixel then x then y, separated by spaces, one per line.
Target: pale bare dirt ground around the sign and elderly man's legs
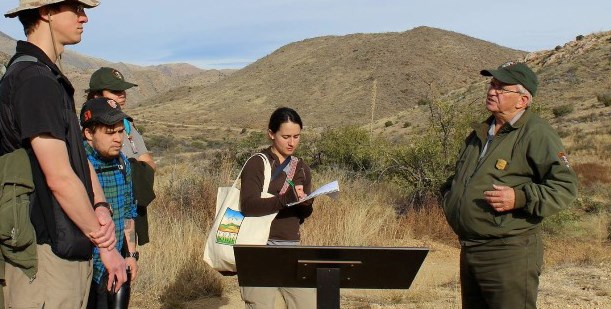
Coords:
pixel 436 286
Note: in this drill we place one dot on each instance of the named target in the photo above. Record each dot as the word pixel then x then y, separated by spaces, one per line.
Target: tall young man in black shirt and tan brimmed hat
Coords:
pixel 69 213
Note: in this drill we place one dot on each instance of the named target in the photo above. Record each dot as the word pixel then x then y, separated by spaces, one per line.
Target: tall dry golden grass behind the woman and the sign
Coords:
pixel 173 274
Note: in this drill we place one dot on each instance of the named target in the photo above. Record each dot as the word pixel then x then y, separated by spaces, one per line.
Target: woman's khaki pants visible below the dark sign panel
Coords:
pixel 265 298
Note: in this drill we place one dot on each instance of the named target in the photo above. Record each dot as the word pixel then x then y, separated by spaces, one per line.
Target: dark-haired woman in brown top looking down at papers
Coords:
pixel 290 182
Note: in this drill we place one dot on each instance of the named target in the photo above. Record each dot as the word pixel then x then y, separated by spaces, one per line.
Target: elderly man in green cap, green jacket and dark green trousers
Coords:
pixel 512 172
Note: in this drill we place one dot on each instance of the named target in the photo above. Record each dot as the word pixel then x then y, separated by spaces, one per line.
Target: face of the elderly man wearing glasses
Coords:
pixel 502 98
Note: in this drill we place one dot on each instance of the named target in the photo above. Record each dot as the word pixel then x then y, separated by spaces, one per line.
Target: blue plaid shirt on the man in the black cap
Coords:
pixel 117 186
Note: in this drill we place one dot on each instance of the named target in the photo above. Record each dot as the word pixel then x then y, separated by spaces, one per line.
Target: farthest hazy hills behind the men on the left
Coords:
pixel 152 80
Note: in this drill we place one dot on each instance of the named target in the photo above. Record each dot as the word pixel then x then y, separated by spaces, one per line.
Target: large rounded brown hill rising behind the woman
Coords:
pixel 329 80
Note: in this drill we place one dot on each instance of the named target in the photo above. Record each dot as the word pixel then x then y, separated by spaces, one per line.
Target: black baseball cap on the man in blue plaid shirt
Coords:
pixel 102 110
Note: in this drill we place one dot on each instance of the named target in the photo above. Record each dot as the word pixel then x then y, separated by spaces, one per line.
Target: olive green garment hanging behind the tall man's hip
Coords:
pixel 17 235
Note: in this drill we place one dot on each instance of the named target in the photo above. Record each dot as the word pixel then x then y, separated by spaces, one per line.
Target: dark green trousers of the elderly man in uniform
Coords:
pixel 501 274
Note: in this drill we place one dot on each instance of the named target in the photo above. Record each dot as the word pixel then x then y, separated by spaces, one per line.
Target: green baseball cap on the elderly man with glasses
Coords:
pixel 513 73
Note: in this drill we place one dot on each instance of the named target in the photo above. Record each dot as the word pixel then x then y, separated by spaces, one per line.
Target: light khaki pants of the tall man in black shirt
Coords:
pixel 58 284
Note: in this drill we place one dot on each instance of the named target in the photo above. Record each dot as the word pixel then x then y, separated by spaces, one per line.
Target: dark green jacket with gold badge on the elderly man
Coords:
pixel 527 156
